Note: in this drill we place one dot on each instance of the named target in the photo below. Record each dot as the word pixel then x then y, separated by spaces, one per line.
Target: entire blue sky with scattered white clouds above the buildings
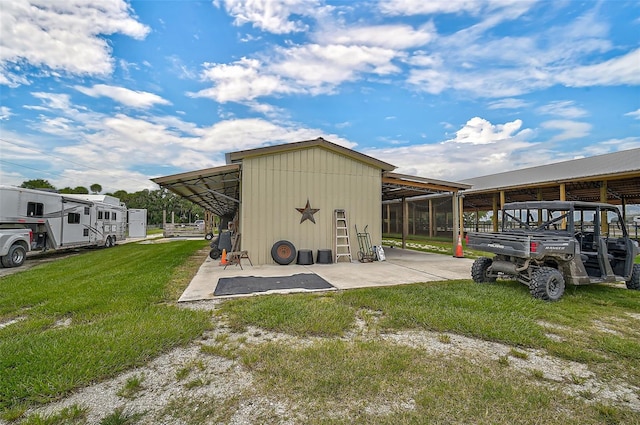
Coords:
pixel 115 92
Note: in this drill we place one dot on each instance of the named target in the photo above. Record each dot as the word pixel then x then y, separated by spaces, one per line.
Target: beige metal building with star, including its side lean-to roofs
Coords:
pixel 290 192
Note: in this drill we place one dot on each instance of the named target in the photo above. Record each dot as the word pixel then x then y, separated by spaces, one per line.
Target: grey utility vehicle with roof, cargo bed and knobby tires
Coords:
pixel 547 244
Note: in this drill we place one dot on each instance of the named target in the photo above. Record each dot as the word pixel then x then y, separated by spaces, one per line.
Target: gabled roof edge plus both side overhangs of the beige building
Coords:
pixel 217 189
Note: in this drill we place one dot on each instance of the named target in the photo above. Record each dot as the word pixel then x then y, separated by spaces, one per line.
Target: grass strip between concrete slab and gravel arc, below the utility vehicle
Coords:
pixel 503 312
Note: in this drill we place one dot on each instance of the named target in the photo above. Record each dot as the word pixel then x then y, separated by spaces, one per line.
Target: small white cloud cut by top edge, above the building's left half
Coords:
pixel 269 15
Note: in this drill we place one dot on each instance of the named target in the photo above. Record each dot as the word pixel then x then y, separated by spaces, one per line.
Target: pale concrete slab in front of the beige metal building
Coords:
pixel 401 267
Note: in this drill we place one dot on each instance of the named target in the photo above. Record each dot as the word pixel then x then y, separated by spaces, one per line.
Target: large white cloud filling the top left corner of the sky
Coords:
pixel 61 36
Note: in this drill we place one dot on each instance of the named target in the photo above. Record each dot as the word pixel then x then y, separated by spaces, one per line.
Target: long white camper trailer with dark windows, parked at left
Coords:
pixel 64 220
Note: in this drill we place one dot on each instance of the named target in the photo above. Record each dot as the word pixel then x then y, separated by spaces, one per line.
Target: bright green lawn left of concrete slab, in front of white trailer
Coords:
pixel 89 317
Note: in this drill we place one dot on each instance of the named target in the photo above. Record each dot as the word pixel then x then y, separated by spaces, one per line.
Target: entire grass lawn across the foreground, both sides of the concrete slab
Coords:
pixel 331 358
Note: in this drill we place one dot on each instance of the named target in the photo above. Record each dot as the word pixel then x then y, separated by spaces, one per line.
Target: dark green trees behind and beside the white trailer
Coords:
pixel 154 201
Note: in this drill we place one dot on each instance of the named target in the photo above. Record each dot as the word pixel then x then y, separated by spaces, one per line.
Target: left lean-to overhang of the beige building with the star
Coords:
pixel 214 189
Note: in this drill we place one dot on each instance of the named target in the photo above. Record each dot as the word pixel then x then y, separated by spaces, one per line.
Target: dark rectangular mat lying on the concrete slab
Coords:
pixel 251 284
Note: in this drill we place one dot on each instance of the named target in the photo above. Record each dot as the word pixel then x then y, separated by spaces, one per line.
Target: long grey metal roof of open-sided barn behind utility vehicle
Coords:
pixel 582 179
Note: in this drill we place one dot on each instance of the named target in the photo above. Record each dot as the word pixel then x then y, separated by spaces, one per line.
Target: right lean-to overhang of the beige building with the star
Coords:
pixel 399 186
